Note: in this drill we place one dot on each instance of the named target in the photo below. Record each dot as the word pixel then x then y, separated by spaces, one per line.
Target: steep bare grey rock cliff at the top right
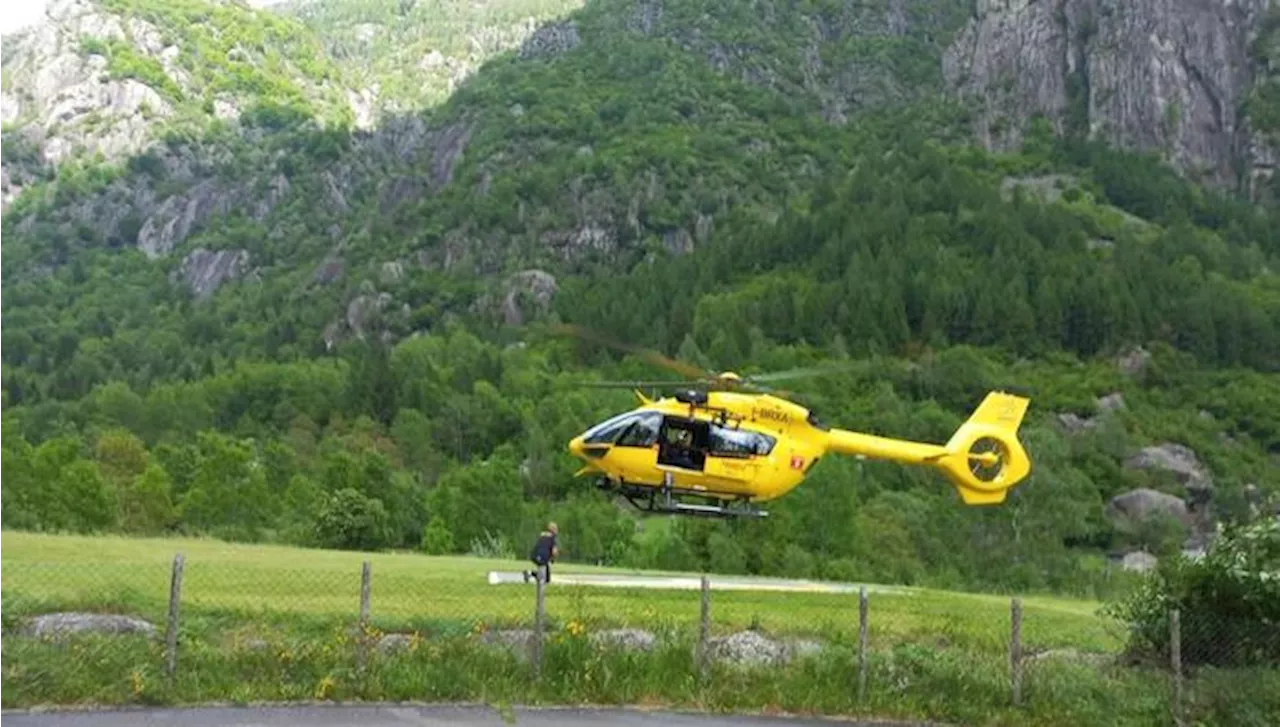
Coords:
pixel 1169 76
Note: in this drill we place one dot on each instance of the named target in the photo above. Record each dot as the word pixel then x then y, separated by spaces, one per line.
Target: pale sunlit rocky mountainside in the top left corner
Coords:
pixel 99 81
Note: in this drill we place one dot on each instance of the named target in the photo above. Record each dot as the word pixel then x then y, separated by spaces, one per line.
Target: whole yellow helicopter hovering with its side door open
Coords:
pixel 733 447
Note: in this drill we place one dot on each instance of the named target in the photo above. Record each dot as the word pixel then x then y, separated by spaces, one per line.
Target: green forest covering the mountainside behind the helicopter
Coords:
pixel 740 231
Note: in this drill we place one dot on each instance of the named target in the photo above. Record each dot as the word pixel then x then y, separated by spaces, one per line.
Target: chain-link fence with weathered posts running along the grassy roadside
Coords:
pixel 275 627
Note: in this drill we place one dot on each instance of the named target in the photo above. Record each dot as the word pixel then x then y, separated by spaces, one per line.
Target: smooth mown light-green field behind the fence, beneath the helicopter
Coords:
pixel 410 589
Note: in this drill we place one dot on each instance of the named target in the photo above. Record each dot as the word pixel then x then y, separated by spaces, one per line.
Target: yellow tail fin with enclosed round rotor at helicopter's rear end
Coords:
pixel 985 459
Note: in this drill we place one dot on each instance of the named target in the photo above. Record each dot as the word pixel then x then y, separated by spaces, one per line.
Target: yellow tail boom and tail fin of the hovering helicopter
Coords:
pixel 984 460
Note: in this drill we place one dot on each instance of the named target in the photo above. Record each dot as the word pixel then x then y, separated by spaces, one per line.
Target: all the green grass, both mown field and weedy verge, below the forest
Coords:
pixel 277 624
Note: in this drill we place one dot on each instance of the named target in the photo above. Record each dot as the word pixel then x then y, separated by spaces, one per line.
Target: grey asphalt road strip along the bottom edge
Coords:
pixel 382 716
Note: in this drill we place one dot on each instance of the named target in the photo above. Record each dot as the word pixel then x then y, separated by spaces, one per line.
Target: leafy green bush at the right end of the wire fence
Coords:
pixel 1229 602
